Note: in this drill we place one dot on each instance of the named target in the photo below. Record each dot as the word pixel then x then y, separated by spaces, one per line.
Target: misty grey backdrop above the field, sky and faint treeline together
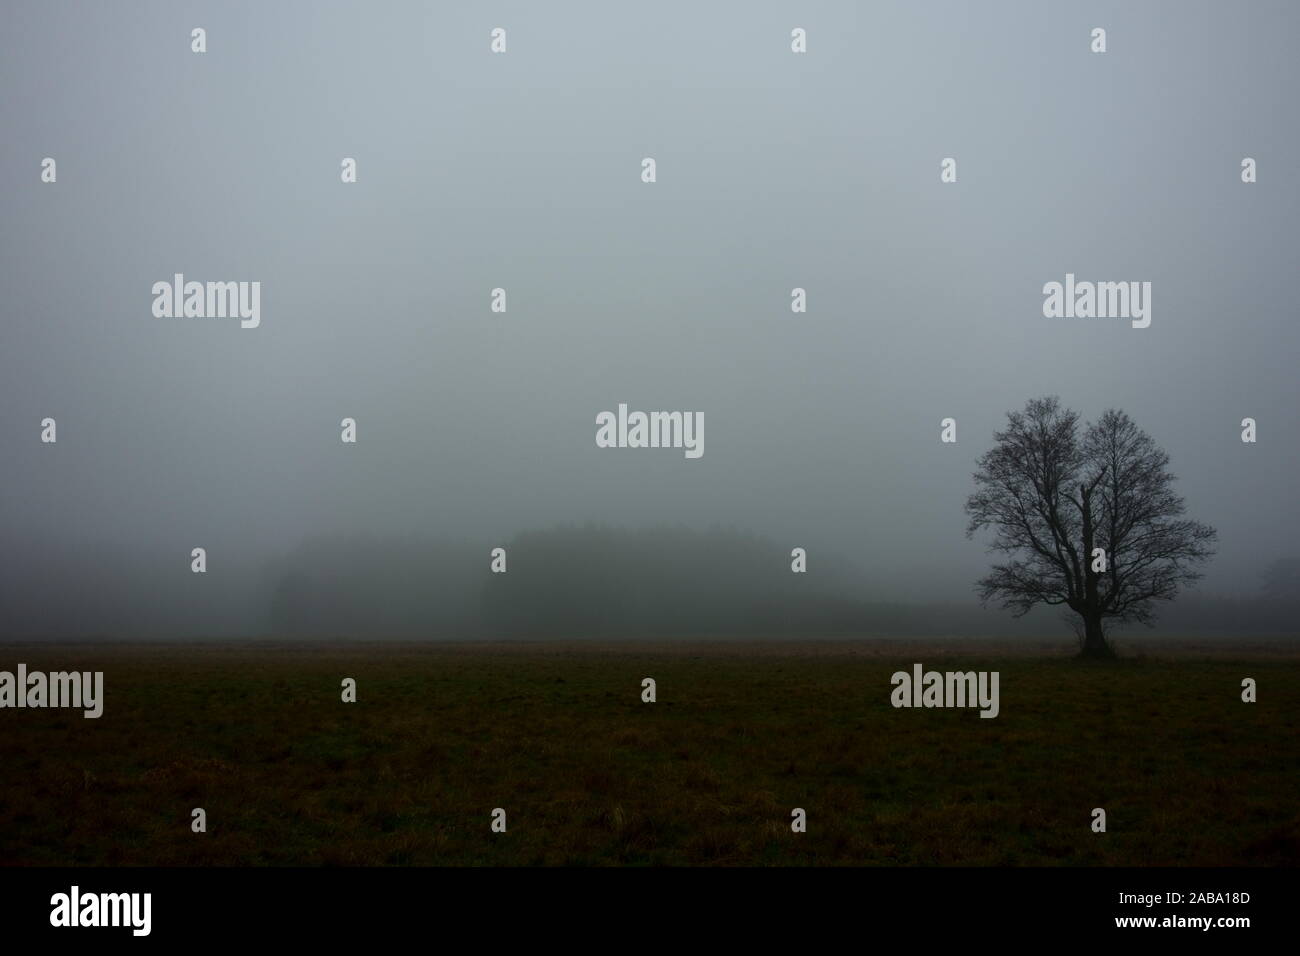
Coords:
pixel 522 171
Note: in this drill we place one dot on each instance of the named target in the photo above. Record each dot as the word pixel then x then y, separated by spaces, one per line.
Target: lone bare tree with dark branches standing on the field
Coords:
pixel 1089 521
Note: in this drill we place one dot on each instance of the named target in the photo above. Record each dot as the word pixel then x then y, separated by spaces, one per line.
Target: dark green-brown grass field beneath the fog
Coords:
pixel 558 737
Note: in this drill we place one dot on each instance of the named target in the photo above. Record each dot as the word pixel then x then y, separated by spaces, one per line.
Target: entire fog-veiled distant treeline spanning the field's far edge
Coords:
pixel 571 582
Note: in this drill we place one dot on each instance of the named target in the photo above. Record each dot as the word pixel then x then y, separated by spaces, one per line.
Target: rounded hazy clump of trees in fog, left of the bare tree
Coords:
pixel 574 581
